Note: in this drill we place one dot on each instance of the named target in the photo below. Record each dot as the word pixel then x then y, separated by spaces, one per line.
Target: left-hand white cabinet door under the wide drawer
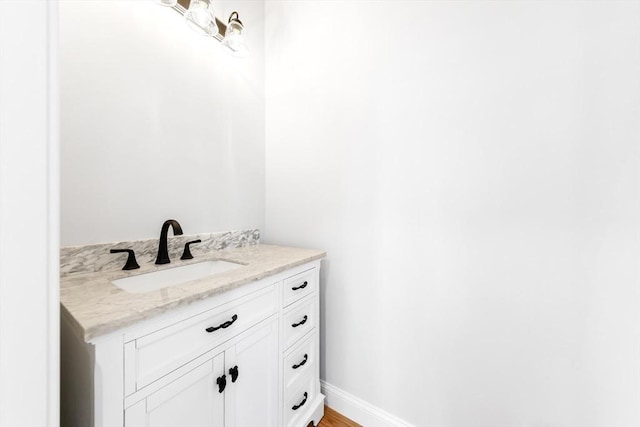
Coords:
pixel 193 400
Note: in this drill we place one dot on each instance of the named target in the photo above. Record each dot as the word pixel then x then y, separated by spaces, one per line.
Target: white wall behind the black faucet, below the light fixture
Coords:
pixel 157 122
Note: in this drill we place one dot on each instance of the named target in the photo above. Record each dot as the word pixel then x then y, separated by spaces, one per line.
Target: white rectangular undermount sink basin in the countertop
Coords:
pixel 173 276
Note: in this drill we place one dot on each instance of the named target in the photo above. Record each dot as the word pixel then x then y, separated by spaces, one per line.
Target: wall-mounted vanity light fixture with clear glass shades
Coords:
pixel 201 17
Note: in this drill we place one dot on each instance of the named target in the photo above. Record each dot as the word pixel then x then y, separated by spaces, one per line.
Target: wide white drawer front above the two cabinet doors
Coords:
pixel 154 355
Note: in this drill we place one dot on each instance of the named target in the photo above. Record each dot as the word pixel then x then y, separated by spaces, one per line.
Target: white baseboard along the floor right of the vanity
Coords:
pixel 358 410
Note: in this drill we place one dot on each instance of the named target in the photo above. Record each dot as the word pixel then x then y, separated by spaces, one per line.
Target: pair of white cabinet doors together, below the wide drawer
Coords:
pixel 234 385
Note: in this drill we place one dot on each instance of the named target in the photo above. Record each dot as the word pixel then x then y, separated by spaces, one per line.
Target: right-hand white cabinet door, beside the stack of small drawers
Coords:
pixel 252 399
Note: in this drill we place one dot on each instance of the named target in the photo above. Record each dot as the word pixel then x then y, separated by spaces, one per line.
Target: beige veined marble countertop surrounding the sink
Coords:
pixel 96 307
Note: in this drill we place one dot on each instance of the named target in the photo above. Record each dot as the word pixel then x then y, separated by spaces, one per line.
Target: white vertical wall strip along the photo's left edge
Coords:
pixel 29 219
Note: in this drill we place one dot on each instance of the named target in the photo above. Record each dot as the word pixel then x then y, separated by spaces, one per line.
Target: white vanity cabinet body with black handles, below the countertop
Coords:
pixel 245 357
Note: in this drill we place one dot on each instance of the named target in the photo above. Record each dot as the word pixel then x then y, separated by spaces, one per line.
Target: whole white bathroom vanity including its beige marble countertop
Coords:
pixel 233 348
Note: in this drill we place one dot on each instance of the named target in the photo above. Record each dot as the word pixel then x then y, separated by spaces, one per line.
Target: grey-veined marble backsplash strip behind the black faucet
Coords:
pixel 95 258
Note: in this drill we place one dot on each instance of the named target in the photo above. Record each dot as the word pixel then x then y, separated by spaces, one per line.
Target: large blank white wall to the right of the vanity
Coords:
pixel 471 167
